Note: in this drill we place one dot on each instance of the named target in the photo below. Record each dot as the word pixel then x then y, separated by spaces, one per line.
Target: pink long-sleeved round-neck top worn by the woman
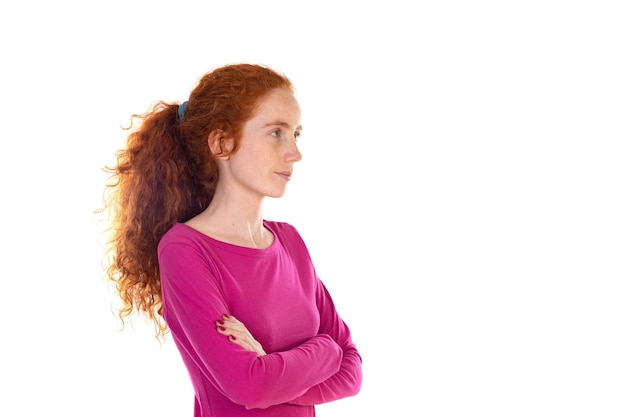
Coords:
pixel 276 293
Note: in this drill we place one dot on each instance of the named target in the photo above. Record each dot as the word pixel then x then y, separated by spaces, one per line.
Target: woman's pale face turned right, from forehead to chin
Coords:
pixel 264 161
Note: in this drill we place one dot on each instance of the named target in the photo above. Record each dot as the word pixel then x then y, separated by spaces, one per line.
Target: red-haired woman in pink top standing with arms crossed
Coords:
pixel 255 326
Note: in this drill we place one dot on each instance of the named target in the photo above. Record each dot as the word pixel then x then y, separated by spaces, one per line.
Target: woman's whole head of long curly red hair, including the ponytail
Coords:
pixel 167 174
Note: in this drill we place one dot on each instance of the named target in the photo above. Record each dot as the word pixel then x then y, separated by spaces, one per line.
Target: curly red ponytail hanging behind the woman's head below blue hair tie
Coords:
pixel 152 187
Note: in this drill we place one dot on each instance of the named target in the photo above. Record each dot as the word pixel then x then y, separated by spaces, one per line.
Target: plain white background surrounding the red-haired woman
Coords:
pixel 462 193
